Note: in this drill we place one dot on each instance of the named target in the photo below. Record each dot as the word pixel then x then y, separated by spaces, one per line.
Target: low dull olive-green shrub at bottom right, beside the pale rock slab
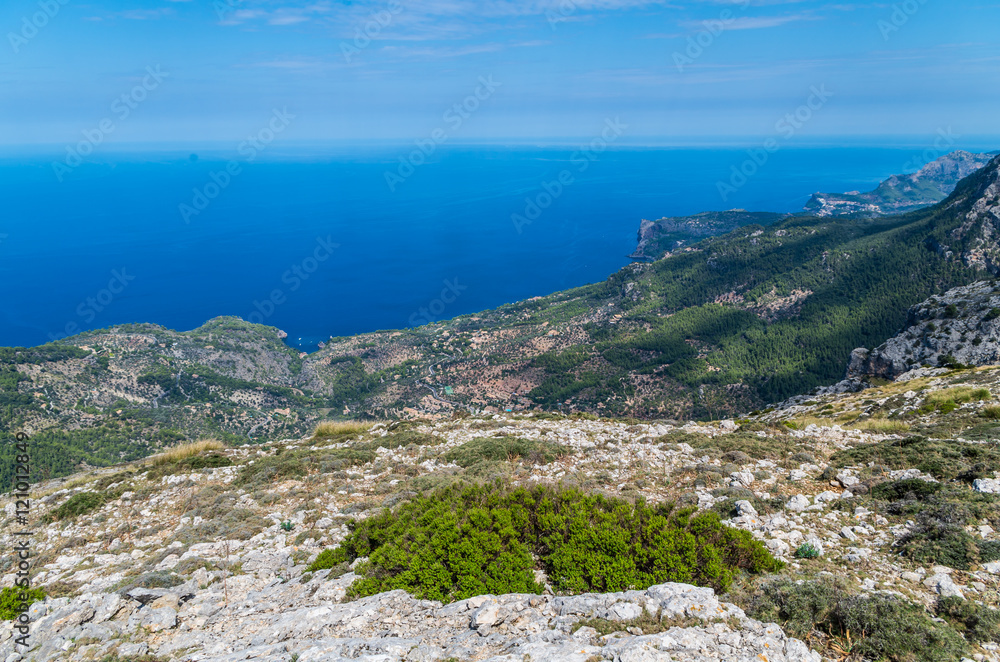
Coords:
pixel 881 627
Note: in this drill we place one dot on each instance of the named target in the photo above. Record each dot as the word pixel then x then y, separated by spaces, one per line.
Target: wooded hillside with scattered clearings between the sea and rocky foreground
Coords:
pixel 720 328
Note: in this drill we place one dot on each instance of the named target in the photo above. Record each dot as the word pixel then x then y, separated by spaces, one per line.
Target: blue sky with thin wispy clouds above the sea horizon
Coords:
pixel 563 67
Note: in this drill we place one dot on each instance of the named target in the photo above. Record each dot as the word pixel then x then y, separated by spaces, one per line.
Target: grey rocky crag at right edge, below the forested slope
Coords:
pixel 962 326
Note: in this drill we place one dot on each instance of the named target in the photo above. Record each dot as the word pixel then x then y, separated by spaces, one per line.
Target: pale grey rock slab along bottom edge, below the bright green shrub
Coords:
pixel 302 620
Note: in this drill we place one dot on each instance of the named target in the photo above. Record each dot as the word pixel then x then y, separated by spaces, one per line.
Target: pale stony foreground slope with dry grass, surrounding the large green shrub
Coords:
pixel 204 555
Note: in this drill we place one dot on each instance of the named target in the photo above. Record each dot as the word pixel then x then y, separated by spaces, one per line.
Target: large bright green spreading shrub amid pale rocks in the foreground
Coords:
pixel 464 541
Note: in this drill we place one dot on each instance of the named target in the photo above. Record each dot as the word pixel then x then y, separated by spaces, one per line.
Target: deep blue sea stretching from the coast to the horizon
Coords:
pixel 316 241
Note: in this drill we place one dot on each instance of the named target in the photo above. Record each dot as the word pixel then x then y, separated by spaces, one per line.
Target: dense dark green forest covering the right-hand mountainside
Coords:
pixel 829 285
